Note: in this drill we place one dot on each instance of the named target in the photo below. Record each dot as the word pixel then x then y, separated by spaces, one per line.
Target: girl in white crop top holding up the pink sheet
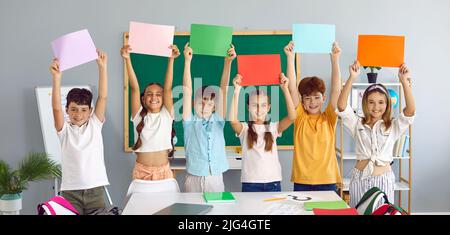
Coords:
pixel 152 115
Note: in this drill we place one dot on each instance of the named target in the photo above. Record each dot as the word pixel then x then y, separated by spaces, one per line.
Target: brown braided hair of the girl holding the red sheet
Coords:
pixel 252 136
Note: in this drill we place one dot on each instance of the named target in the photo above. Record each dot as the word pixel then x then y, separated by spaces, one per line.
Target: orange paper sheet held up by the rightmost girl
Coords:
pixel 381 50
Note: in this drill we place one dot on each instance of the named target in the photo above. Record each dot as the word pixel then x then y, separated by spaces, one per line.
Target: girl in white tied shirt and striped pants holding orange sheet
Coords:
pixel 375 134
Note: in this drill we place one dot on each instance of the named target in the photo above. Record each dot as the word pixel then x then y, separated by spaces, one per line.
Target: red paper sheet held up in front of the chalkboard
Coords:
pixel 258 70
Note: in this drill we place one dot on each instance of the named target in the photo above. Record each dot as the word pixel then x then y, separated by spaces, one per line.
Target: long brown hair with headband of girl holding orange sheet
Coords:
pixel 387 114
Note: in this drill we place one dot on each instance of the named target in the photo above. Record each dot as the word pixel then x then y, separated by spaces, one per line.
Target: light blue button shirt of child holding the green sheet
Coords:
pixel 204 145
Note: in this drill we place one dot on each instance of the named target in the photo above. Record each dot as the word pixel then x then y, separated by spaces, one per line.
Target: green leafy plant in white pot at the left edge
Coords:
pixel 36 166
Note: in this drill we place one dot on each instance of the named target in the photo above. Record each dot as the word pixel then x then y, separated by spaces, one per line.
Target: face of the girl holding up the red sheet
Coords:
pixel 258 107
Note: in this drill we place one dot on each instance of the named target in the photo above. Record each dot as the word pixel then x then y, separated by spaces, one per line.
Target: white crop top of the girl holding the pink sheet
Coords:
pixel 157 132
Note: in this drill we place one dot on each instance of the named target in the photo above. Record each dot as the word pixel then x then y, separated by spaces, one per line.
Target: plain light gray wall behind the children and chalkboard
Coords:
pixel 28 27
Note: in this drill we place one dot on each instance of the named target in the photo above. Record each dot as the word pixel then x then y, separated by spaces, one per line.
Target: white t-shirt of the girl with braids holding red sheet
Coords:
pixel 258 165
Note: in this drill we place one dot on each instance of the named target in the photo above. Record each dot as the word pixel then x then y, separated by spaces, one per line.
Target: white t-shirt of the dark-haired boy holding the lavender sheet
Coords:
pixel 83 164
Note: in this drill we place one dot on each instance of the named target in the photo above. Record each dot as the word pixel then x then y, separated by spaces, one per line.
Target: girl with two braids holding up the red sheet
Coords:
pixel 261 170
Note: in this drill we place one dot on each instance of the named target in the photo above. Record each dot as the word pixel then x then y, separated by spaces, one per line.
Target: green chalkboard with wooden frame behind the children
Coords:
pixel 209 69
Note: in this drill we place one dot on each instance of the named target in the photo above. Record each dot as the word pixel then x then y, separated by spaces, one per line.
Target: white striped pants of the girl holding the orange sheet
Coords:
pixel 358 186
